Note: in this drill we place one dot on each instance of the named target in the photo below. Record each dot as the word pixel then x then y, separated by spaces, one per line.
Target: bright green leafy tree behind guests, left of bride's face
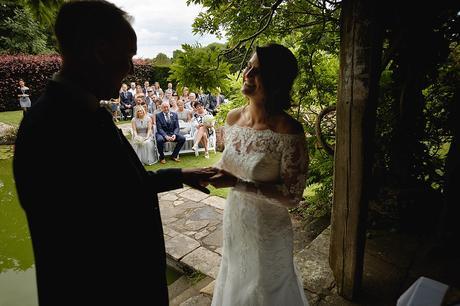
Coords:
pixel 197 67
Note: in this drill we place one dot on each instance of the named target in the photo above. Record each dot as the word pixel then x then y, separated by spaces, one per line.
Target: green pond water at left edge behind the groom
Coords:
pixel 17 272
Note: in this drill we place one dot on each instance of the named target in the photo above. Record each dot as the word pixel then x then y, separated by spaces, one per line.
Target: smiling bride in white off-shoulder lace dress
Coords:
pixel 265 162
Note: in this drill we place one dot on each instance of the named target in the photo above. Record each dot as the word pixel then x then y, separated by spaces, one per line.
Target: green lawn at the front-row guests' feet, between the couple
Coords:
pixel 191 161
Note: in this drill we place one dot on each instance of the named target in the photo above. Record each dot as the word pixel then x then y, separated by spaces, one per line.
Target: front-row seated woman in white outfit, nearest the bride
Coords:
pixel 203 128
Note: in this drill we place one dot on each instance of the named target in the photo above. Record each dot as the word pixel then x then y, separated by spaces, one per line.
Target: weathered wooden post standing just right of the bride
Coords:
pixel 360 58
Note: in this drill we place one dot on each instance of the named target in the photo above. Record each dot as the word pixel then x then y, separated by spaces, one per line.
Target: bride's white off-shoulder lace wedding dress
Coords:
pixel 257 261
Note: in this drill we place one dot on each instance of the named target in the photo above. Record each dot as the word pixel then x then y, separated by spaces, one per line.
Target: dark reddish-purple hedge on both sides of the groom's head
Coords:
pixel 36 70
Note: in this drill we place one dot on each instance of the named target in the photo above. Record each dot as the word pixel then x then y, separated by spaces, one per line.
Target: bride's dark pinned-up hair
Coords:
pixel 278 70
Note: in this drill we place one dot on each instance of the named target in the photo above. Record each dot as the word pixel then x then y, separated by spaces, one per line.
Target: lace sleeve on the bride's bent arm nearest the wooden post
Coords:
pixel 293 172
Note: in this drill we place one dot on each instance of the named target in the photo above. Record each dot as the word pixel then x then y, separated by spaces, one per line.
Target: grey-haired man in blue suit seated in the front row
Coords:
pixel 168 130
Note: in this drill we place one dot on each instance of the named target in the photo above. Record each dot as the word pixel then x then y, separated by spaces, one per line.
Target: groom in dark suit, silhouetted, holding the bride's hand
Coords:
pixel 95 242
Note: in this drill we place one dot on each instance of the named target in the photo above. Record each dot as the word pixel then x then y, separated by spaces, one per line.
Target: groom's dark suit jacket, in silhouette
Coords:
pixel 95 241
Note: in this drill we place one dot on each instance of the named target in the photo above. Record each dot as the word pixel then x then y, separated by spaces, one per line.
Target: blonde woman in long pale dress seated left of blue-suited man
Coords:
pixel 143 141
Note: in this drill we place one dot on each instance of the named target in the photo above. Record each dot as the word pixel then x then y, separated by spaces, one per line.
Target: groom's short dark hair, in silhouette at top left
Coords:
pixel 79 24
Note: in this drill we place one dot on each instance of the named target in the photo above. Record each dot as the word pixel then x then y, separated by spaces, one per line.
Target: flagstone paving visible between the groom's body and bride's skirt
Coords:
pixel 191 217
